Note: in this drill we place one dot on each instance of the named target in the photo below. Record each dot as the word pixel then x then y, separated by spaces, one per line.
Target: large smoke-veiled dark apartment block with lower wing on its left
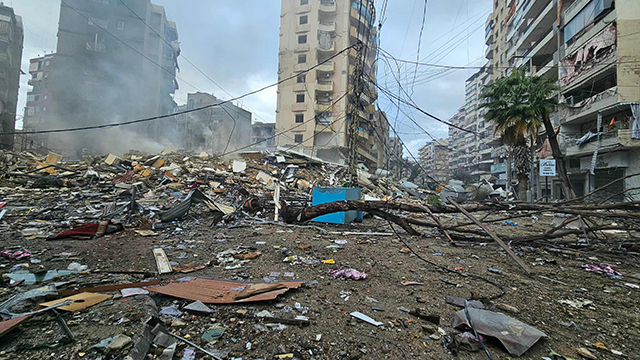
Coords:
pixel 115 61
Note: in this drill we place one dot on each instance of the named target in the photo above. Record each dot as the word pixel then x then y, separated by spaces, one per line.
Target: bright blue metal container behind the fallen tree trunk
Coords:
pixel 322 195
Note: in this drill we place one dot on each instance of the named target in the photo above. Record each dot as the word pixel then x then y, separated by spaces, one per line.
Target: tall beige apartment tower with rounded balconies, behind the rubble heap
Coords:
pixel 312 108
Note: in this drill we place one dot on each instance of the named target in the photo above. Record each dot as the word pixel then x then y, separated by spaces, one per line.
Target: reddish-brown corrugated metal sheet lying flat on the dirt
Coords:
pixel 211 291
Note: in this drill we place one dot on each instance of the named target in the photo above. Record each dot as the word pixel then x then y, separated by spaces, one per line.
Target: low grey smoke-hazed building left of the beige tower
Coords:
pixel 214 129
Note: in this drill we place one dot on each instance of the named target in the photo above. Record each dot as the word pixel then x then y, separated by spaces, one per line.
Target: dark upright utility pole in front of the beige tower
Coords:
pixel 355 108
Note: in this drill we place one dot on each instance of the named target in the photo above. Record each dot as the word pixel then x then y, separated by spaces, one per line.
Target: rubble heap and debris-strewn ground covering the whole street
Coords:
pixel 276 290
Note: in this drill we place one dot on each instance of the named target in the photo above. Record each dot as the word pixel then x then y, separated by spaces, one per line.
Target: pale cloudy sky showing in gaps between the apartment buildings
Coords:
pixel 235 42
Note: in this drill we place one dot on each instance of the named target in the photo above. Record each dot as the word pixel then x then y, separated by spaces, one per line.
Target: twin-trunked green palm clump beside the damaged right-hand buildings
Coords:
pixel 518 105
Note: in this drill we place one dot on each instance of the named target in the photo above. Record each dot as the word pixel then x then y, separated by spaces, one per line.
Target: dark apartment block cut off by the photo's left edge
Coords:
pixel 11 39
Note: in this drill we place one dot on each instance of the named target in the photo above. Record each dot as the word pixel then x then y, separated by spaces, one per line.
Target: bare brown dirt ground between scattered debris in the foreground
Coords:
pixel 612 319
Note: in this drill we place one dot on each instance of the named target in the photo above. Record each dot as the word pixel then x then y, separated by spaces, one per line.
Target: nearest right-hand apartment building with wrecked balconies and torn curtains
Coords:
pixel 600 92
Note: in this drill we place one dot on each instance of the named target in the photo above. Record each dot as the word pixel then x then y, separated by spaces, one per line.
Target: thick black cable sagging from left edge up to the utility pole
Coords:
pixel 185 111
